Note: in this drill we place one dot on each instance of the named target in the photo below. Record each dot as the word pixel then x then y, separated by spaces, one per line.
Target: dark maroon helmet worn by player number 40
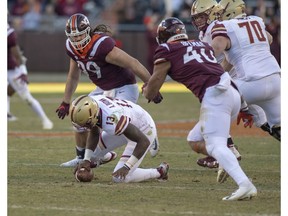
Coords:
pixel 171 29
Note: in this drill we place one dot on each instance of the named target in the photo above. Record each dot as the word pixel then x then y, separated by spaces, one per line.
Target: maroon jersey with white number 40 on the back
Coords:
pixel 192 64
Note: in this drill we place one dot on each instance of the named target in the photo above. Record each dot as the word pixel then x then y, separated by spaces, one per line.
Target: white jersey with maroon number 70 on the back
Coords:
pixel 250 50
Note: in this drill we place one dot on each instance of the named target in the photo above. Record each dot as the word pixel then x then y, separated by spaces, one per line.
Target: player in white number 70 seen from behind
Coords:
pixel 246 45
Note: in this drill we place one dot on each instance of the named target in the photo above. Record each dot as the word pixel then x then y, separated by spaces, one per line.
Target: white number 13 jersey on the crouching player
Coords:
pixel 116 114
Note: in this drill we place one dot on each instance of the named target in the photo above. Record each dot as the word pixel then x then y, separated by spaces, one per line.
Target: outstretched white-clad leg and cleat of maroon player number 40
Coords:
pixel 217 112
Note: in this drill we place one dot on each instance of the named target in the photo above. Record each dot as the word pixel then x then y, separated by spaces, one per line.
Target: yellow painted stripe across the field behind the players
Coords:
pixel 88 87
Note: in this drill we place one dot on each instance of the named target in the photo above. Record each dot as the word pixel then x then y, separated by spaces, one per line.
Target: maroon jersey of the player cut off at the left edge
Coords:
pixel 11 61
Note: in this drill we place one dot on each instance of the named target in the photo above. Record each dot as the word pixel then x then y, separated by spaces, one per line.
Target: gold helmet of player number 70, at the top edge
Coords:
pixel 232 9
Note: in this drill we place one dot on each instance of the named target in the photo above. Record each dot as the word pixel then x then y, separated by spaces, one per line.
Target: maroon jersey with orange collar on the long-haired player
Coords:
pixel 92 62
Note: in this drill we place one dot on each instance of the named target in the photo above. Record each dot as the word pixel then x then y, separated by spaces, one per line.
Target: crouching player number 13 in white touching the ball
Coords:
pixel 115 123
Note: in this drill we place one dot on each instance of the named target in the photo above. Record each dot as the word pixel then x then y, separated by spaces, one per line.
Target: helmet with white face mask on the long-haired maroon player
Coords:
pixel 78 31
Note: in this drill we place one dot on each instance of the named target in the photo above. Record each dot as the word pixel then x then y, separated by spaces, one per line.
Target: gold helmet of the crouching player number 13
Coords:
pixel 84 111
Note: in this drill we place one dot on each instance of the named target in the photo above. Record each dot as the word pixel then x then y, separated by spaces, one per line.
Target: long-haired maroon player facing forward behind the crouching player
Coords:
pixel 94 53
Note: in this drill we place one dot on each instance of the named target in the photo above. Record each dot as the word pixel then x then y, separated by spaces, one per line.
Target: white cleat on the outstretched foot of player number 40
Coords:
pixel 243 193
